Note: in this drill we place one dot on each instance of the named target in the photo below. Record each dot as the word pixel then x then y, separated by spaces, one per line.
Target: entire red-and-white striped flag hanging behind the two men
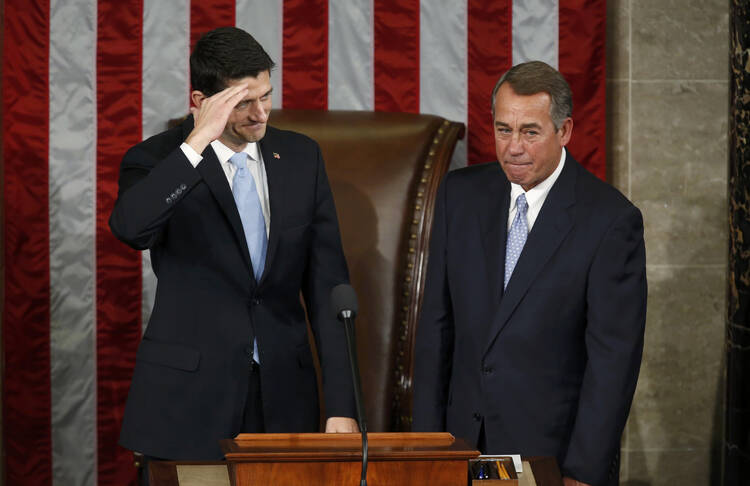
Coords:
pixel 86 79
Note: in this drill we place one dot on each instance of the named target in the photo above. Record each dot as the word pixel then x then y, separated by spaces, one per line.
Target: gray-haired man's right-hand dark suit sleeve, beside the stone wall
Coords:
pixel 616 316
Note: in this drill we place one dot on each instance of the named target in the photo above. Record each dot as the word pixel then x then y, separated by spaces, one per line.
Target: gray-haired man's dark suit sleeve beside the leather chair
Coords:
pixel 435 332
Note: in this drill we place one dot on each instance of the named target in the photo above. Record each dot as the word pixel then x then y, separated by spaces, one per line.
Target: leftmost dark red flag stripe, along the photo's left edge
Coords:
pixel 26 313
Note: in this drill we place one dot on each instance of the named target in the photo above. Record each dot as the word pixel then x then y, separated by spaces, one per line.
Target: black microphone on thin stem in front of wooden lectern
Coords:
pixel 344 304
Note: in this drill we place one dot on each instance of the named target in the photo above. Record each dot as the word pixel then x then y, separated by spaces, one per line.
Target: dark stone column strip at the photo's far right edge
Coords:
pixel 736 470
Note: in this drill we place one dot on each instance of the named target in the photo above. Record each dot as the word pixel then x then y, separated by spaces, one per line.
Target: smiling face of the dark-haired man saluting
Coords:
pixel 247 122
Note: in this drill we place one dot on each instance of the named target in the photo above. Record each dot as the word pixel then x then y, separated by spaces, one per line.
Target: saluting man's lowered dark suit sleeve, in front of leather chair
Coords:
pixel 327 268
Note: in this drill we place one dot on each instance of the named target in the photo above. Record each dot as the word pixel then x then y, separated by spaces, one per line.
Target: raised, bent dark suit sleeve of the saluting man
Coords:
pixel 149 191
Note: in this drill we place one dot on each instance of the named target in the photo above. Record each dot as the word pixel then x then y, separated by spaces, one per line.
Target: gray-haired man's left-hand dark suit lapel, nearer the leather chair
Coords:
pixel 494 231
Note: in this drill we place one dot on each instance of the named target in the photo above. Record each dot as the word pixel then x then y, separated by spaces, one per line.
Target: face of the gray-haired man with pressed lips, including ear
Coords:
pixel 526 143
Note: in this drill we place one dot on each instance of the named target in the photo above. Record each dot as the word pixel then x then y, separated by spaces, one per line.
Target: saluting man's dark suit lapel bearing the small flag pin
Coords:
pixel 275 176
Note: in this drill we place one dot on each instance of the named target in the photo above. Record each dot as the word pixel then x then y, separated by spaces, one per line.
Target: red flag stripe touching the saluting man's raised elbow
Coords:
pixel 118 273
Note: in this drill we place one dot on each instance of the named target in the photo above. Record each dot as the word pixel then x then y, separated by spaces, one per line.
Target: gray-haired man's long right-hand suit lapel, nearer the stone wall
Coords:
pixel 550 228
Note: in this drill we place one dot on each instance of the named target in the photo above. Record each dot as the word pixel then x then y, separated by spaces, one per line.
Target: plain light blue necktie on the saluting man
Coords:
pixel 251 213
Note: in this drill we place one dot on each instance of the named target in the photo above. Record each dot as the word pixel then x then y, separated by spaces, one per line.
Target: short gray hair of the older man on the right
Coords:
pixel 534 77
